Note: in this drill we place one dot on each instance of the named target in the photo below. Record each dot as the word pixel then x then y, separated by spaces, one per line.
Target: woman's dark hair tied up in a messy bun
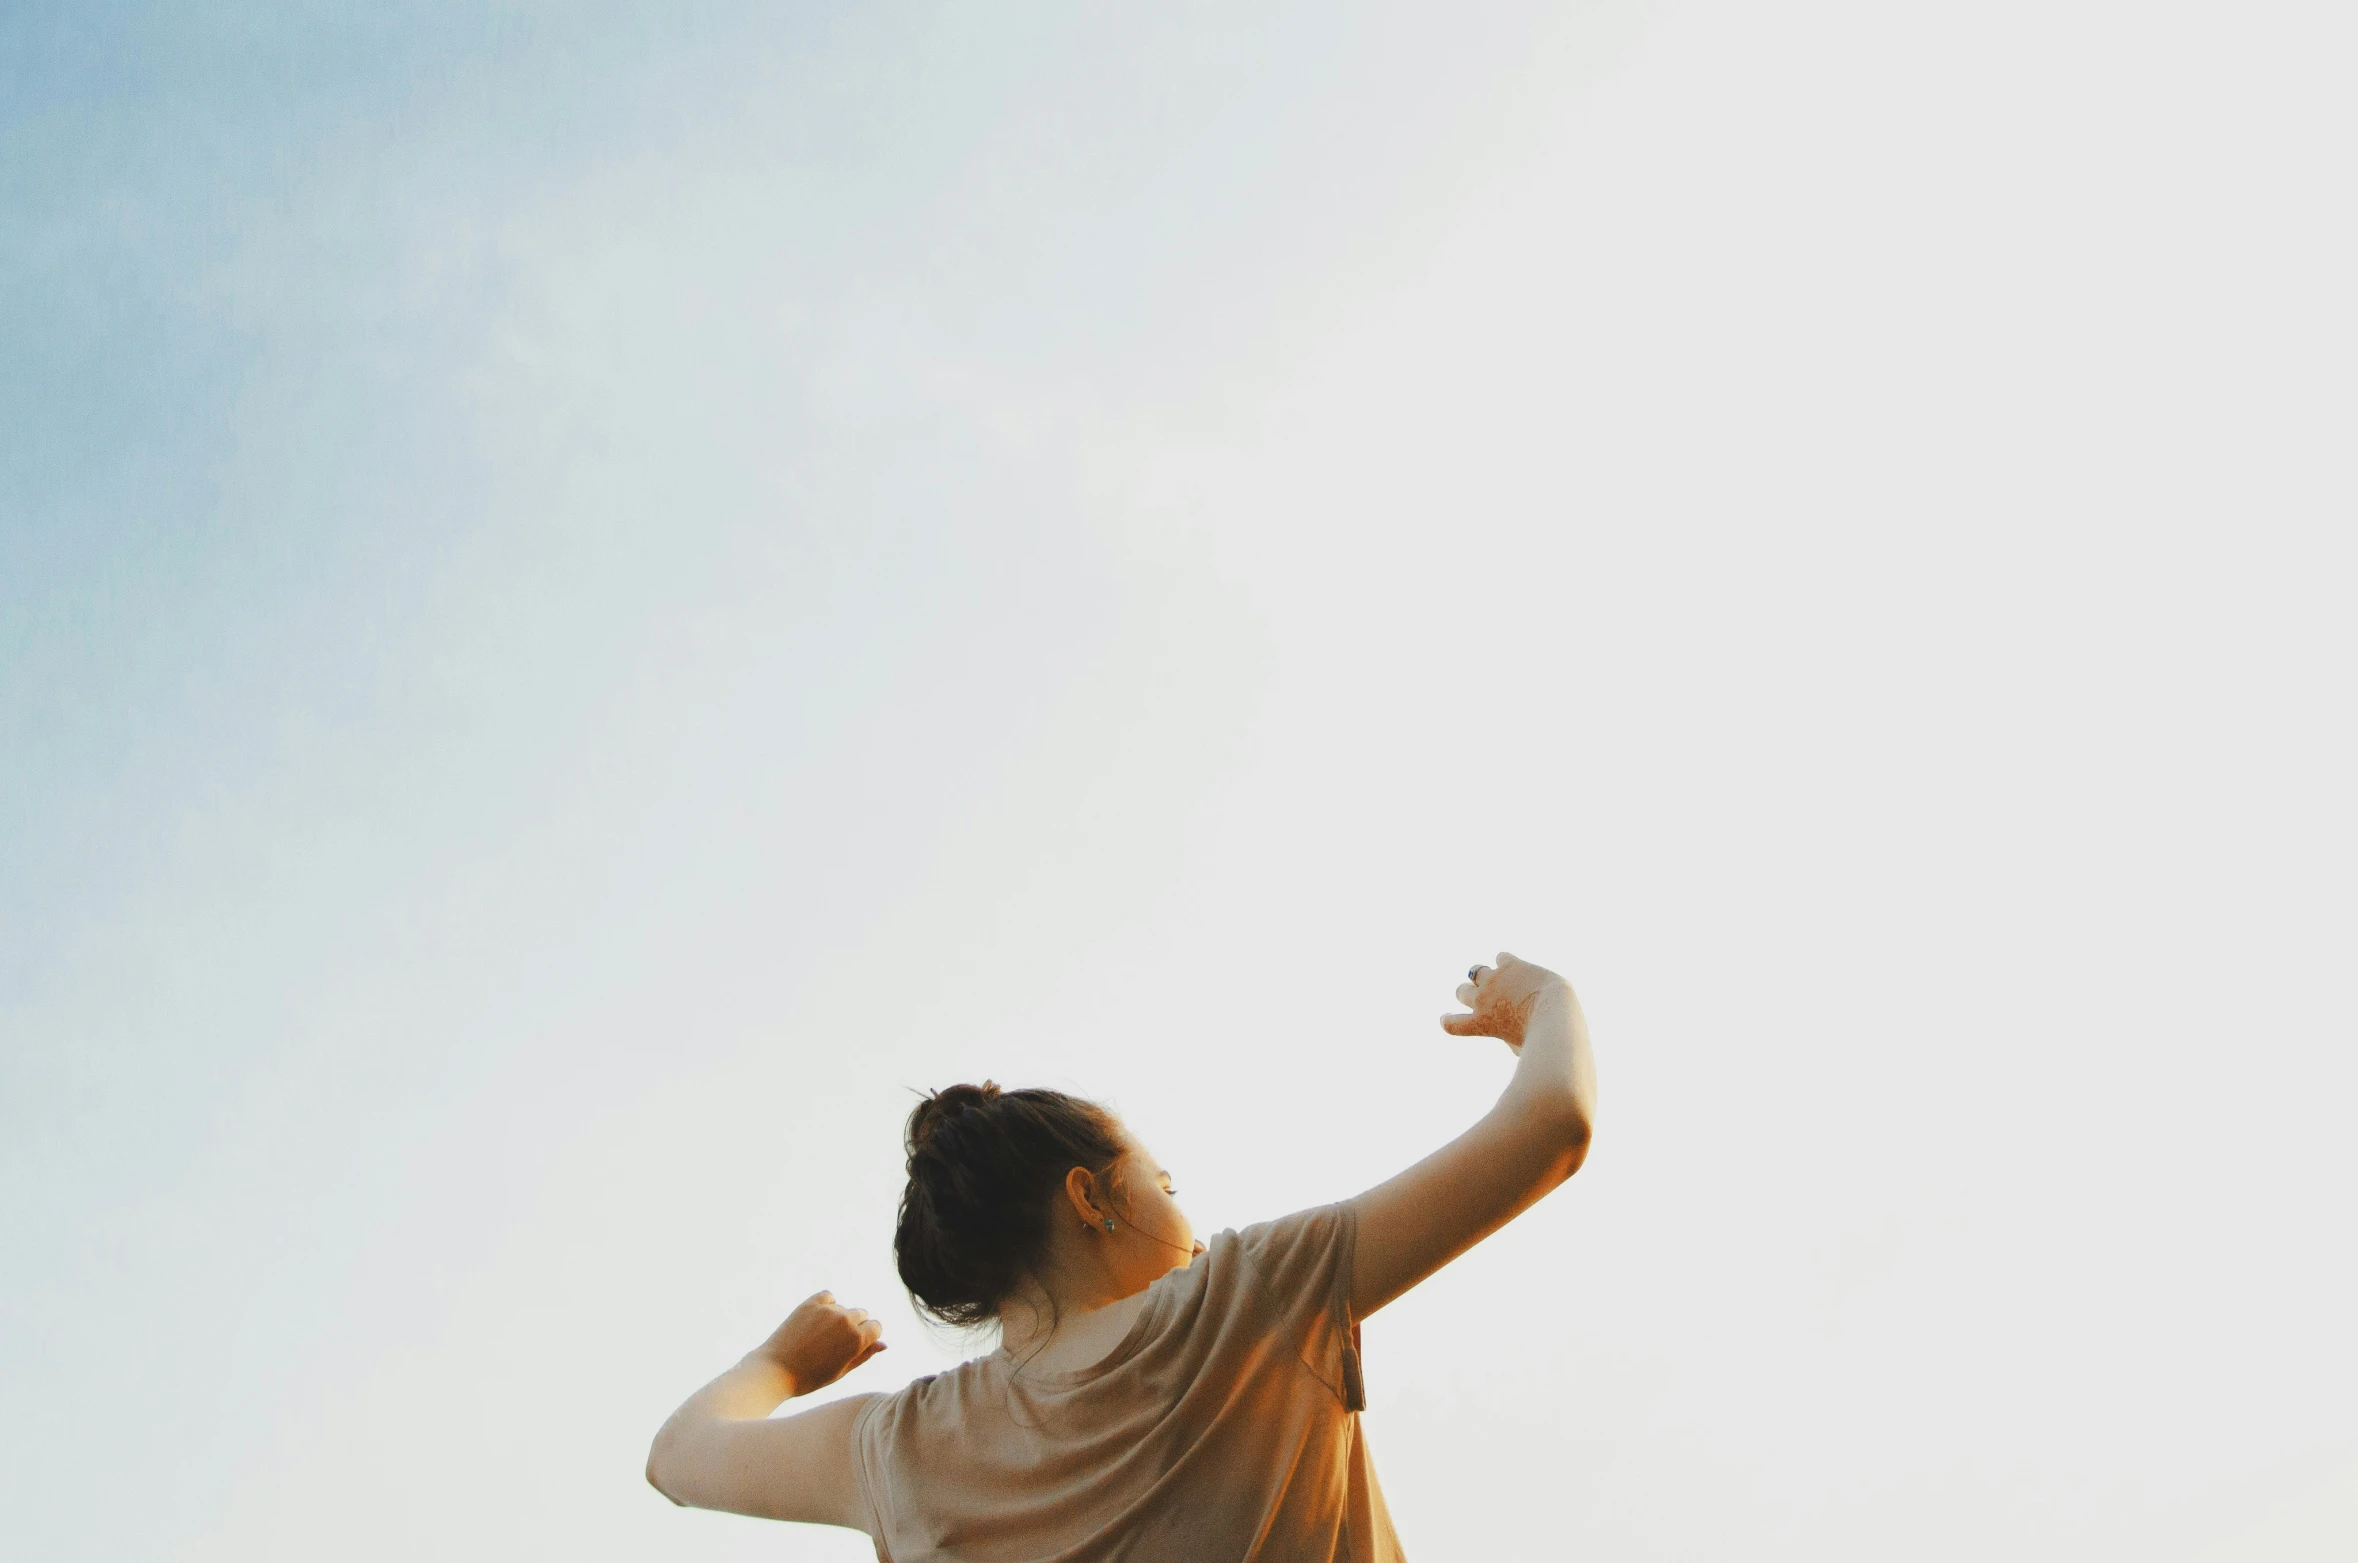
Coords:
pixel 982 1173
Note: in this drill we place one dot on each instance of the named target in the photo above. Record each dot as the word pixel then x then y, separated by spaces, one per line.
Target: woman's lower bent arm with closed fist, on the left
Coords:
pixel 725 1451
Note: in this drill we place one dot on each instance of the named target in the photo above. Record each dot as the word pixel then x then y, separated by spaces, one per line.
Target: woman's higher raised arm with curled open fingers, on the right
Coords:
pixel 1536 1137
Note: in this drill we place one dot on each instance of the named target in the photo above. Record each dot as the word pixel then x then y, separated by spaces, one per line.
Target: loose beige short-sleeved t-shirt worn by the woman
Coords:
pixel 1223 1430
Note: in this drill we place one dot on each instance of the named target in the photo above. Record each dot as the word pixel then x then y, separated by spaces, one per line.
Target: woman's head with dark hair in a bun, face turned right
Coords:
pixel 994 1180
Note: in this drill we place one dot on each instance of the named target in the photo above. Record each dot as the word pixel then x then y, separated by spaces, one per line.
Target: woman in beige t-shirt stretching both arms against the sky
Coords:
pixel 1152 1397
